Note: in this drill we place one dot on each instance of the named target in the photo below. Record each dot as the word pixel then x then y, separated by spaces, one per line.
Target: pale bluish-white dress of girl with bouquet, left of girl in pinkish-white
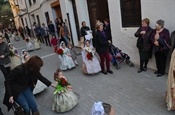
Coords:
pixel 66 61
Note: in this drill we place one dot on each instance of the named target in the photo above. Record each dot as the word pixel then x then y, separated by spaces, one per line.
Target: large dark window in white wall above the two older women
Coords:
pixel 131 13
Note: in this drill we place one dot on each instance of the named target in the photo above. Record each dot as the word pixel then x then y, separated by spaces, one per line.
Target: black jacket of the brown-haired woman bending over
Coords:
pixel 19 79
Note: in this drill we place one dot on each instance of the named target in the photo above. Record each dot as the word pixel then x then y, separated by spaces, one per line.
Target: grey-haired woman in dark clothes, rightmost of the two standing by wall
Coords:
pixel 161 40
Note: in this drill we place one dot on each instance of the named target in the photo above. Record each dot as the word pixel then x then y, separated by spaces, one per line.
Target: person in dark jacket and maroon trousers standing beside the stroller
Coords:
pixel 102 47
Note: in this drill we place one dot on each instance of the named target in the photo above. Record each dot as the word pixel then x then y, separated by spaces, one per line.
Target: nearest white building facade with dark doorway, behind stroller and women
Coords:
pixel 125 17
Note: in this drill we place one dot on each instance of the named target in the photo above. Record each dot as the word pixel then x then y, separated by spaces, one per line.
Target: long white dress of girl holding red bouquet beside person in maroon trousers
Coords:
pixel 90 66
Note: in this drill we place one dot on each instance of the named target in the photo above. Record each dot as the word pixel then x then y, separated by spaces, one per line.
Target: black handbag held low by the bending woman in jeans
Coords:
pixel 17 109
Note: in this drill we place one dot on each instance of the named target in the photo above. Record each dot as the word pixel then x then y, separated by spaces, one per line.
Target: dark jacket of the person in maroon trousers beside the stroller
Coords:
pixel 101 43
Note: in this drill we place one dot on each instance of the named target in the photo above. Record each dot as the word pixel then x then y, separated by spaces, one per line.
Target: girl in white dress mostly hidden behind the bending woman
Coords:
pixel 39 85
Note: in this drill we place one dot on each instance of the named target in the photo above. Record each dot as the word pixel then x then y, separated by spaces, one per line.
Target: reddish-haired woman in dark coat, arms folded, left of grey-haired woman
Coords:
pixel 144 44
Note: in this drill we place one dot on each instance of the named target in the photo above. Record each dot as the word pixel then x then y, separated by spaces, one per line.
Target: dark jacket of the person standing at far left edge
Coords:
pixel 4 50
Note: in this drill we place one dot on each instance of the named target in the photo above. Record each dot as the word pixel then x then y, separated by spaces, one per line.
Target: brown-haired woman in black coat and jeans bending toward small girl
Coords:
pixel 20 83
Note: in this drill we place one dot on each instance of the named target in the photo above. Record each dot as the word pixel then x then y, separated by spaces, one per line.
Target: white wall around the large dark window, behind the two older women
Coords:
pixel 154 10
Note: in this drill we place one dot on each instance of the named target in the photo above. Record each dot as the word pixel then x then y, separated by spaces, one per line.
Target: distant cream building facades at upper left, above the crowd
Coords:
pixel 39 11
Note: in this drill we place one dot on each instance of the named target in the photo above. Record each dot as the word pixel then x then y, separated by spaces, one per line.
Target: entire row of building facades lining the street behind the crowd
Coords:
pixel 125 17
